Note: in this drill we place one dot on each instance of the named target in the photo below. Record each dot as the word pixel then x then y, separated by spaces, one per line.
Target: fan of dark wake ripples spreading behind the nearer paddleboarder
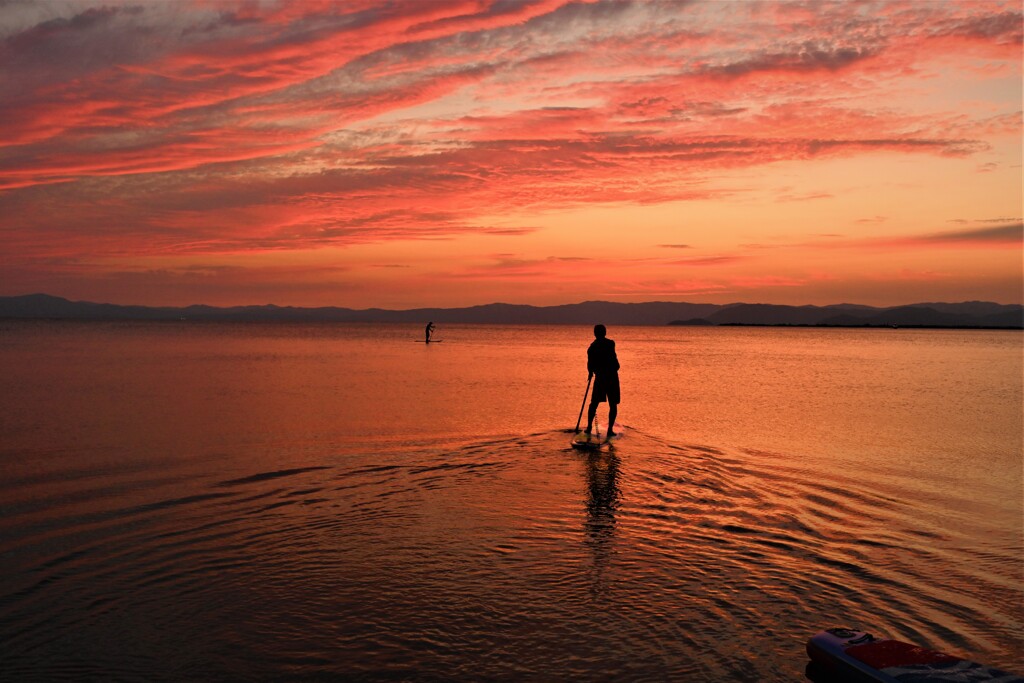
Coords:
pixel 504 559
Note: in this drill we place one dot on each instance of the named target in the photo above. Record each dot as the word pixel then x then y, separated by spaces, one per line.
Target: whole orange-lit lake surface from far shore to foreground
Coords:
pixel 275 502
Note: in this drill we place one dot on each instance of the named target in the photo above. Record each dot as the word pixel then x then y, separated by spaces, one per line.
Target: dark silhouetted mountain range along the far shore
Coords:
pixel 966 315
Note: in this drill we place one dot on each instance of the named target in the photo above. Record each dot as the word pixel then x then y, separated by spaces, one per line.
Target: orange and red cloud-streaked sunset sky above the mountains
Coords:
pixel 448 153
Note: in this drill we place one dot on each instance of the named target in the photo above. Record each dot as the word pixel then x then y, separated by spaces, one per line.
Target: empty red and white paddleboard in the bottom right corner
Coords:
pixel 855 656
